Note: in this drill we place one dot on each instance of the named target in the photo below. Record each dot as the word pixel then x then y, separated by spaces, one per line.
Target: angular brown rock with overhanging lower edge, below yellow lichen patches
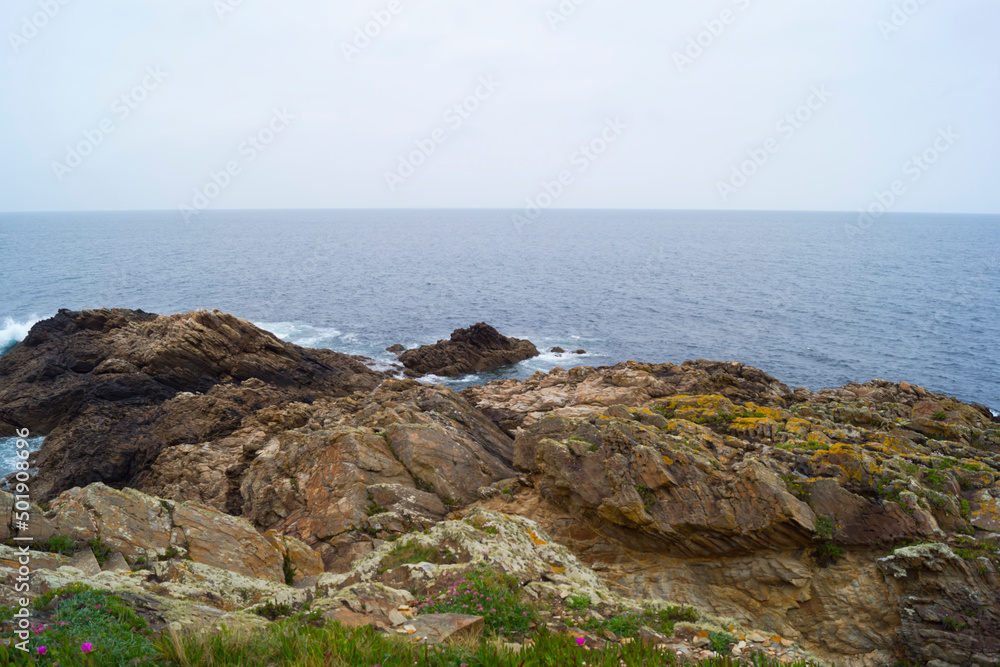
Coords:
pixel 638 485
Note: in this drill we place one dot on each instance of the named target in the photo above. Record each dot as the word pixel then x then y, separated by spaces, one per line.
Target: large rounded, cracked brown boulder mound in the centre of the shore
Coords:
pixel 388 462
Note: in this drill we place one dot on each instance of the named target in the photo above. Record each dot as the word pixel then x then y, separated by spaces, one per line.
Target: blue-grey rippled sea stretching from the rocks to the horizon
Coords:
pixel 814 299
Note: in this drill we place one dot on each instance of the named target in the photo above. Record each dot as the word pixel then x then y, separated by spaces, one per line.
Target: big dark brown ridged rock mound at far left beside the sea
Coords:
pixel 112 388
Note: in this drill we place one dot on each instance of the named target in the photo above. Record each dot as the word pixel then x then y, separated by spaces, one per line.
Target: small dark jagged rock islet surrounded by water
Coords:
pixel 476 349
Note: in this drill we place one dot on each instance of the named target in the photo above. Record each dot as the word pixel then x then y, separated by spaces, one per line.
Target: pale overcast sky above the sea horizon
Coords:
pixel 684 104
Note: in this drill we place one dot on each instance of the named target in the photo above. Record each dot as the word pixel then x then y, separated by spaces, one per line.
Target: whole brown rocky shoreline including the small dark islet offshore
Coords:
pixel 223 470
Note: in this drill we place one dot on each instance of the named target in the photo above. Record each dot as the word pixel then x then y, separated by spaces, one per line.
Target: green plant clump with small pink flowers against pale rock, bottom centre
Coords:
pixel 482 592
